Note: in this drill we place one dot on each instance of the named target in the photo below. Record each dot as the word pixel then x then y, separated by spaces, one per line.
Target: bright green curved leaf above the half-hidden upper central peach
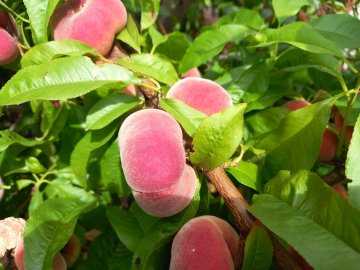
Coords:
pixel 210 43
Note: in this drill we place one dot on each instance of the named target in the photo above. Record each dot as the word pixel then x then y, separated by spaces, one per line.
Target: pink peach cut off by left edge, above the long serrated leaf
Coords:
pixel 8 48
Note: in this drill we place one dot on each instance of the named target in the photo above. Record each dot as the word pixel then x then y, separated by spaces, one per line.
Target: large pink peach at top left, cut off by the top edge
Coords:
pixel 93 22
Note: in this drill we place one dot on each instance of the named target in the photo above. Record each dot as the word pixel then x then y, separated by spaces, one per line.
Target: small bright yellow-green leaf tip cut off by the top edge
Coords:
pixel 287 8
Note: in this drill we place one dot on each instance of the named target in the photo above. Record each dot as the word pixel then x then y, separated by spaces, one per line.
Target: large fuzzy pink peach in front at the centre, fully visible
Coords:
pixel 151 150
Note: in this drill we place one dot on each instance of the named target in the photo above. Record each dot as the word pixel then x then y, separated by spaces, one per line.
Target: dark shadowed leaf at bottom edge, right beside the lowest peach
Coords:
pixel 258 250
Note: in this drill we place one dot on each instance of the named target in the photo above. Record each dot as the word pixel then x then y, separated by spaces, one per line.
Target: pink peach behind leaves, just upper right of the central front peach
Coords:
pixel 202 94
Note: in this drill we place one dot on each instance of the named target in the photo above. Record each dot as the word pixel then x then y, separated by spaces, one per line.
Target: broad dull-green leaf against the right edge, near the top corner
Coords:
pixel 342 29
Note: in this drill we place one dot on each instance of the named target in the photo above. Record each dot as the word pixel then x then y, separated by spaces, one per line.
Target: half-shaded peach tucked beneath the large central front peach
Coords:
pixel 172 201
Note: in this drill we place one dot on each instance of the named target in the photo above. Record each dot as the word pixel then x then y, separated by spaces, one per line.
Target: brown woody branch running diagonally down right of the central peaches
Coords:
pixel 238 206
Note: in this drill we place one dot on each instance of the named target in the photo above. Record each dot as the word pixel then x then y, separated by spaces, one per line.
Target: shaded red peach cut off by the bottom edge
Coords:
pixel 205 242
